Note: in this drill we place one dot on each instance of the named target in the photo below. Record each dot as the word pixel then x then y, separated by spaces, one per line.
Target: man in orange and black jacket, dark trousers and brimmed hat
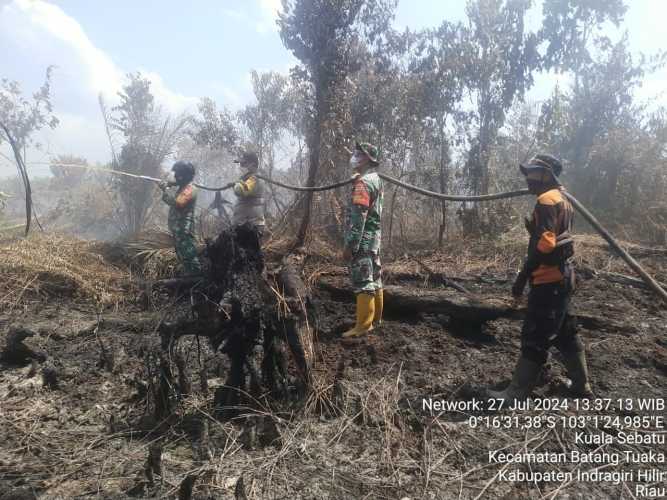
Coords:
pixel 549 268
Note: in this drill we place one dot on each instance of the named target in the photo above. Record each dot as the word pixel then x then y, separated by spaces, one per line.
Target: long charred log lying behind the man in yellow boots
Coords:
pixel 463 309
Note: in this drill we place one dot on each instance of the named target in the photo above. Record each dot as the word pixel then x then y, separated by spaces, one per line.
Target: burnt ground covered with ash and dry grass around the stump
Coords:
pixel 361 432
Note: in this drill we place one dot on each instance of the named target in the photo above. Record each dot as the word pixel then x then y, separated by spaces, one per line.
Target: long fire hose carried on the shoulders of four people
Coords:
pixel 602 231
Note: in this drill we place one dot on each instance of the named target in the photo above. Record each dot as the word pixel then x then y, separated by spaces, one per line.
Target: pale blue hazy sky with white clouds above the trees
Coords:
pixel 190 50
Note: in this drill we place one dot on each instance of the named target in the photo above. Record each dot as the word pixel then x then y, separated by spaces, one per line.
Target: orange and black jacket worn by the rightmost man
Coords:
pixel 551 243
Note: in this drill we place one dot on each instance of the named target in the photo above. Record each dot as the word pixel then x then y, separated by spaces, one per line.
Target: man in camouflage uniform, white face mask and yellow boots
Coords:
pixel 363 238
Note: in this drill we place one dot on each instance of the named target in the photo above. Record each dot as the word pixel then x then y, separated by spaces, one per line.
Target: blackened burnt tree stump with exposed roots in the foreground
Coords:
pixel 259 320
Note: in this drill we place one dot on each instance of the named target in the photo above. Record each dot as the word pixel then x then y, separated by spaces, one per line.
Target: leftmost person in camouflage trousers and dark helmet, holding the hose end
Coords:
pixel 181 219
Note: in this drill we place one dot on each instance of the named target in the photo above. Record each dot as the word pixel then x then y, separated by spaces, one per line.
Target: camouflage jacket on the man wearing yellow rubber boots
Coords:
pixel 364 214
